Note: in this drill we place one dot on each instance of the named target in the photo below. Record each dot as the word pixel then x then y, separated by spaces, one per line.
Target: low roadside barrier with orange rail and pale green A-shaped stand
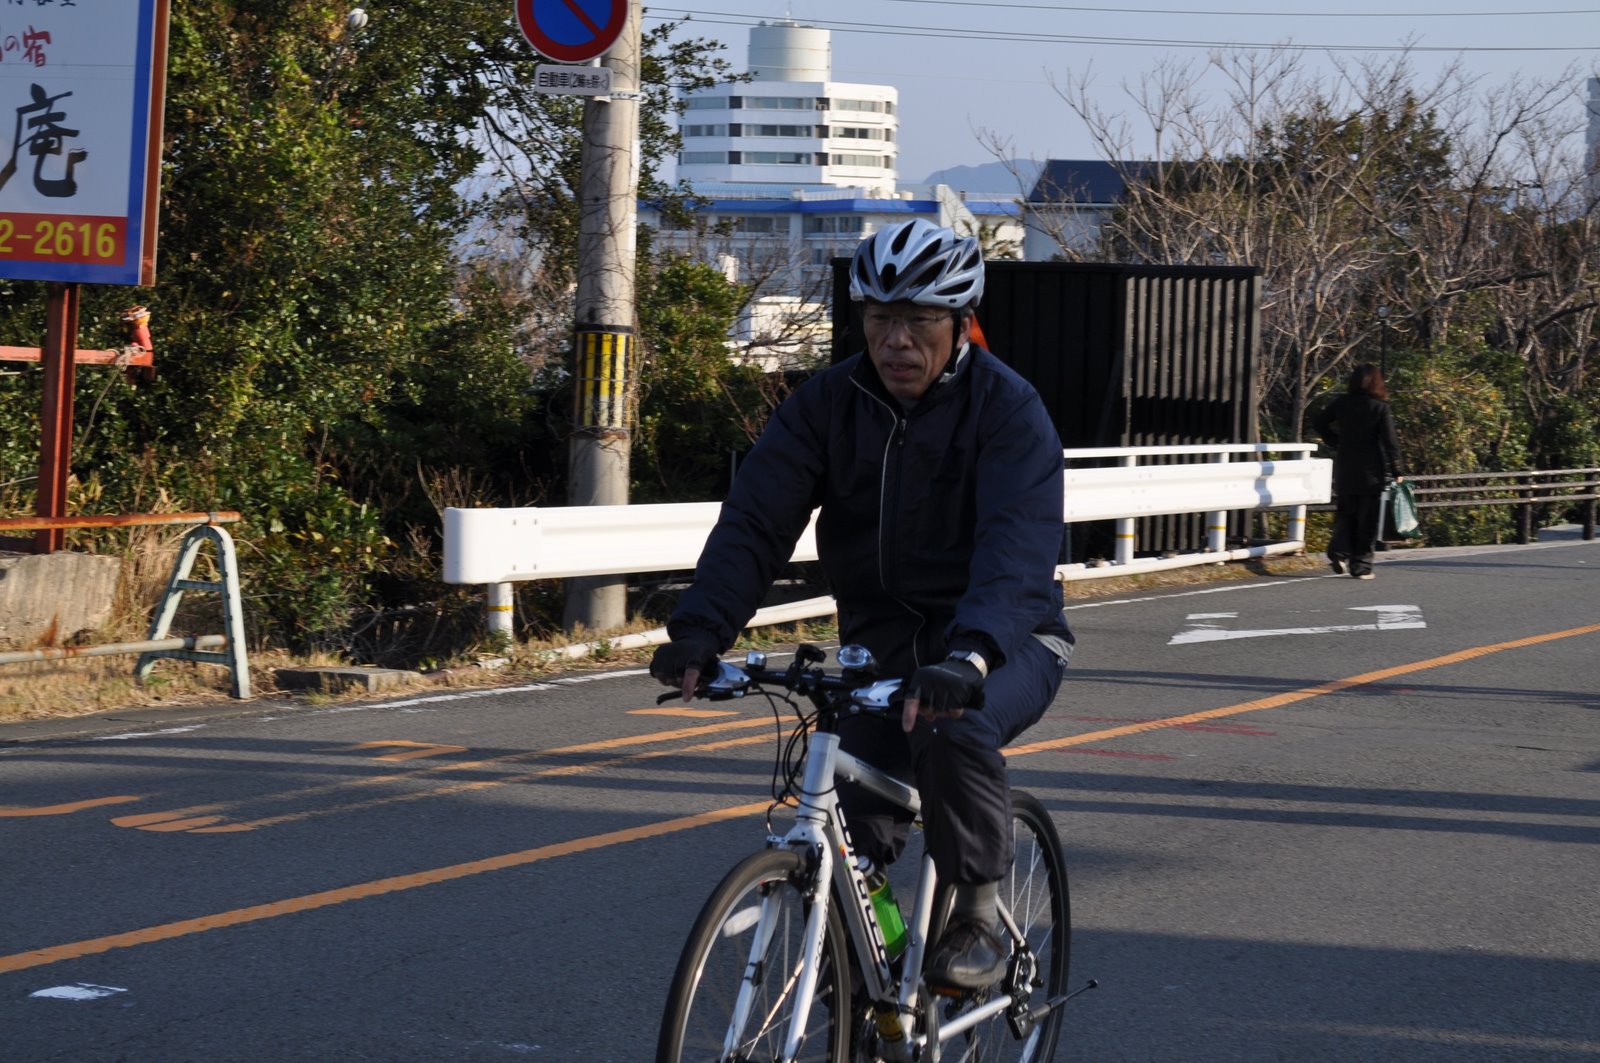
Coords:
pixel 226 649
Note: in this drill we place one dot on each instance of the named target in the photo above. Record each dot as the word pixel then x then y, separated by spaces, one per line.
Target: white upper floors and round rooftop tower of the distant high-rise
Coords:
pixel 791 124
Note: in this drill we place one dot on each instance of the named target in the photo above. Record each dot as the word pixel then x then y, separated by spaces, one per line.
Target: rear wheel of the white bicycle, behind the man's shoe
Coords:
pixel 1036 893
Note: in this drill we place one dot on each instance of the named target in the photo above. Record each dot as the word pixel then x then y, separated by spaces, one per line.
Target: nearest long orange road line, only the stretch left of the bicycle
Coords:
pixel 311 902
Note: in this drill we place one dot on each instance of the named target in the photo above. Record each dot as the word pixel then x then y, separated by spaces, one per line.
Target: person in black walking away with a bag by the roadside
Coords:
pixel 1367 455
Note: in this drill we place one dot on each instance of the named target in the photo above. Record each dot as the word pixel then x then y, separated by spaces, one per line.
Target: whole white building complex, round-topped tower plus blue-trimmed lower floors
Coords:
pixel 793 170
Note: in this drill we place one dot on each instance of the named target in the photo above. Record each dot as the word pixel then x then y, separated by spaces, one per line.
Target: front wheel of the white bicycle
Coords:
pixel 751 941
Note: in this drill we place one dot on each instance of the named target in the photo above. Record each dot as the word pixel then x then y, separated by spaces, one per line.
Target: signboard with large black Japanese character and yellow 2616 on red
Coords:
pixel 81 138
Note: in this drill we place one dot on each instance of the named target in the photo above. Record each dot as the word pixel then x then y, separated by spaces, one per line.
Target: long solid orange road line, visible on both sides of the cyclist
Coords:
pixel 378 888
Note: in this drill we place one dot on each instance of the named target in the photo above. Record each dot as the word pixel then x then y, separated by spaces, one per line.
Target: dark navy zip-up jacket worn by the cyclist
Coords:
pixel 940 529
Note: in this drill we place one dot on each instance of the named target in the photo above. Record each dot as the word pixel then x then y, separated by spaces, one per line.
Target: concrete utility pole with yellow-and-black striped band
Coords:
pixel 604 345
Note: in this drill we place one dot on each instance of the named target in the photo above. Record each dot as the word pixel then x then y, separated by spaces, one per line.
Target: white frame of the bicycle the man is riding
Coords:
pixel 820 833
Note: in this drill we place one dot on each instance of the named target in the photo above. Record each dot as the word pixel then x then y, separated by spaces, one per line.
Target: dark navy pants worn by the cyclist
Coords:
pixel 958 768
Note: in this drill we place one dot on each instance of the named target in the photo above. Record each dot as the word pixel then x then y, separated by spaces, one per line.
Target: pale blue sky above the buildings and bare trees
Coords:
pixel 970 71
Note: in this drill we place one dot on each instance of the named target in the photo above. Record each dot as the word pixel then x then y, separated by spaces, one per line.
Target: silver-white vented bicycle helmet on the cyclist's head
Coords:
pixel 921 263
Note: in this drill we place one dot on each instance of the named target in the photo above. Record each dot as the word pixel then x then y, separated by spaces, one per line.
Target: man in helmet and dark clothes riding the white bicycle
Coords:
pixel 938 475
